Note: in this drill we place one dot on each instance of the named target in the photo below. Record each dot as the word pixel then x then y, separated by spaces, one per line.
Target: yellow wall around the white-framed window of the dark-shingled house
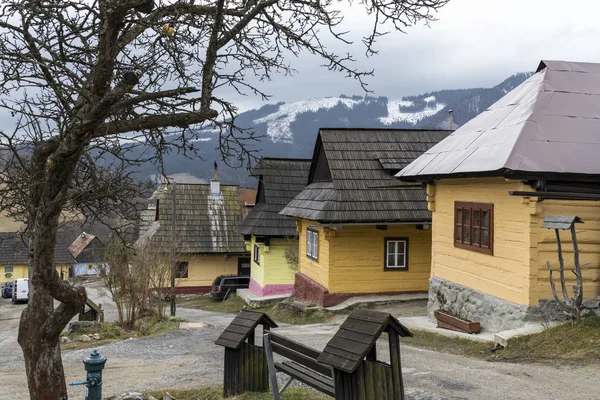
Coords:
pixel 357 260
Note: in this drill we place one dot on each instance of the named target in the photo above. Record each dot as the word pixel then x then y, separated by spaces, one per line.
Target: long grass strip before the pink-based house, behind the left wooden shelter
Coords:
pixel 279 312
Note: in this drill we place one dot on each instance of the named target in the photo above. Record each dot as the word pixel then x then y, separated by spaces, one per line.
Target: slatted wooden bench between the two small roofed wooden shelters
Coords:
pixel 301 364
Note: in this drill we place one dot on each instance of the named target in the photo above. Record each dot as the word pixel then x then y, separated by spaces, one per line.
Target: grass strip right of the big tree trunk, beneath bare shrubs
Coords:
pixel 111 332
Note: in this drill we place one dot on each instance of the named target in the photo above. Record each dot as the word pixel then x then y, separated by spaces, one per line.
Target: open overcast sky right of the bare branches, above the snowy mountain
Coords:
pixel 474 43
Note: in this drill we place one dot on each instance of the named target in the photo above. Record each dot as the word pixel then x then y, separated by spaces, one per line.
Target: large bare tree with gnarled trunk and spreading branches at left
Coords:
pixel 88 81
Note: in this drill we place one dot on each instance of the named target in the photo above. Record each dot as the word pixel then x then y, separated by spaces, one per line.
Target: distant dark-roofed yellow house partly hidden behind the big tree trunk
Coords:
pixel 14 255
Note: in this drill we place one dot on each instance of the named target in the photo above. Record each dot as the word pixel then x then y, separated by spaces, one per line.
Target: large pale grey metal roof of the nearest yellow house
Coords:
pixel 550 124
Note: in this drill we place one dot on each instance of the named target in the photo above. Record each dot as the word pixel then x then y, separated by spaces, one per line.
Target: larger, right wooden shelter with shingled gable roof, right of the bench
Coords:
pixel 352 355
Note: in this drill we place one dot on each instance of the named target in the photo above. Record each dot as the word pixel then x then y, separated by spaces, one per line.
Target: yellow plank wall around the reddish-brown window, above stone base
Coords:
pixel 505 274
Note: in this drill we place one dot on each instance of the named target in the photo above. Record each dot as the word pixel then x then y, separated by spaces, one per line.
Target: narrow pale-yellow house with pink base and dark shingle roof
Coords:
pixel 269 235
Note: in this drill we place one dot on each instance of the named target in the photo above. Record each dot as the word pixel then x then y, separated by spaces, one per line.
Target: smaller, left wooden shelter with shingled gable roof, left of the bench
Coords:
pixel 245 368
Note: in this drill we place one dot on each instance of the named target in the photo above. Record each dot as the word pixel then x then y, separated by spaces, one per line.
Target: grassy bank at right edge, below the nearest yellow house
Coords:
pixel 579 343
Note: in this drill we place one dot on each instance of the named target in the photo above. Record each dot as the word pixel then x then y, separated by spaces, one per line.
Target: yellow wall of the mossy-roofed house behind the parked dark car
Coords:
pixel 203 269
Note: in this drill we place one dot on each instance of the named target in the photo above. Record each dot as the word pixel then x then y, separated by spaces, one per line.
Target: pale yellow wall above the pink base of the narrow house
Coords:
pixel 273 267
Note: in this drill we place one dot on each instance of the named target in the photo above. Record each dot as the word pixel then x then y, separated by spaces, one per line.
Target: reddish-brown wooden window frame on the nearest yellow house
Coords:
pixel 459 238
